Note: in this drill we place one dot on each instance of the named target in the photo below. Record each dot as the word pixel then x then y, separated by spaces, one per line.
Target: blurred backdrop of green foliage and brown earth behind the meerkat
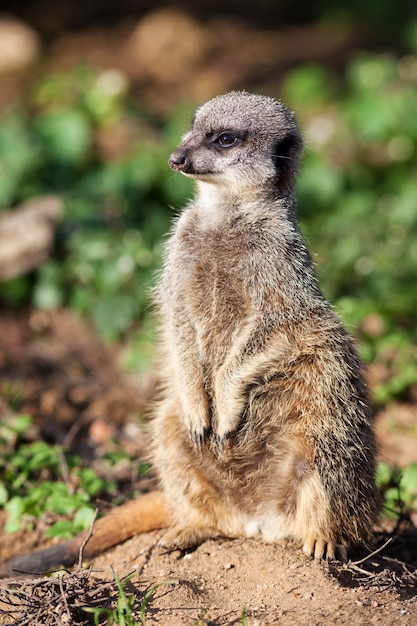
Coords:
pixel 93 98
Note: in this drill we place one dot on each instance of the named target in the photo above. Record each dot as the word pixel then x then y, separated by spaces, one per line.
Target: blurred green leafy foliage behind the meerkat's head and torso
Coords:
pixel 357 198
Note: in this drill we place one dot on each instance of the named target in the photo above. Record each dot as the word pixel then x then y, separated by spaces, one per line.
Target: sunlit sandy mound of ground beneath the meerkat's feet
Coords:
pixel 274 584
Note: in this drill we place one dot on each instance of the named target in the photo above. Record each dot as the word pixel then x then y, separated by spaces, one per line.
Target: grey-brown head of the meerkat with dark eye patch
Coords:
pixel 242 142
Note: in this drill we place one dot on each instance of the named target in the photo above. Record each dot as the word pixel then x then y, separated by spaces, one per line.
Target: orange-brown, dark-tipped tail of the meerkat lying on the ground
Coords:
pixel 145 513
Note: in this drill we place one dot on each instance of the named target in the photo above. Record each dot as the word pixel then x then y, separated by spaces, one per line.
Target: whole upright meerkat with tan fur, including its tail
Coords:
pixel 263 427
